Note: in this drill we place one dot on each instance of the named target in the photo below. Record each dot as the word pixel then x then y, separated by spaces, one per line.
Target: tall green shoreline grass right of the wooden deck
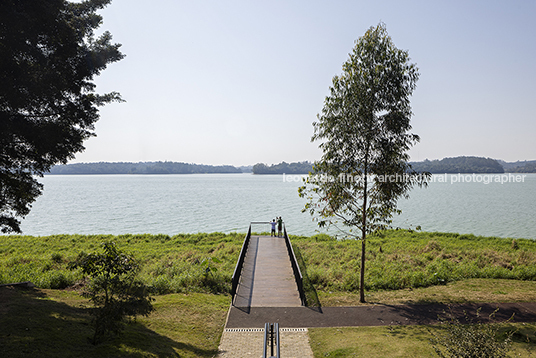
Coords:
pixel 403 259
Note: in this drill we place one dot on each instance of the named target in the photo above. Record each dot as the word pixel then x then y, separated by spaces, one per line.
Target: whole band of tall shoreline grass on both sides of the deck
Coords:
pixel 174 264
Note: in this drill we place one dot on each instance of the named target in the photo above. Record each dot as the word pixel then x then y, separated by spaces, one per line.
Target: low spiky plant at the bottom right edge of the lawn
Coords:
pixel 471 340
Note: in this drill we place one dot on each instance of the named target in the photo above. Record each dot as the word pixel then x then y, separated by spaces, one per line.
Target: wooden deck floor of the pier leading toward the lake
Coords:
pixel 267 279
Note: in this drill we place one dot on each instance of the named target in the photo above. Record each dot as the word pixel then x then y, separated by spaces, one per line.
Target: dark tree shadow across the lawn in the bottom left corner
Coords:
pixel 32 325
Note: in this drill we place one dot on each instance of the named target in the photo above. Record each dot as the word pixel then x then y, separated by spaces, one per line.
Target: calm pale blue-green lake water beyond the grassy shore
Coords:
pixel 171 204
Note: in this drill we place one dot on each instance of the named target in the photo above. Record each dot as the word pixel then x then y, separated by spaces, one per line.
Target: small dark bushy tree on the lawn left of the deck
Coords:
pixel 113 289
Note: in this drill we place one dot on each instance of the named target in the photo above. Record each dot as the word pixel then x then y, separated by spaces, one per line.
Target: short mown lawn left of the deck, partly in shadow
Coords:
pixel 55 323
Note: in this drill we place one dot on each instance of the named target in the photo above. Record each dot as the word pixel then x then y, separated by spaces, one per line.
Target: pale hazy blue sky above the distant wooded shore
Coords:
pixel 241 82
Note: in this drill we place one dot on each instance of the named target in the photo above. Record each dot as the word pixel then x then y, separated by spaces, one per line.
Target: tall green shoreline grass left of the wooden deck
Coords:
pixel 170 264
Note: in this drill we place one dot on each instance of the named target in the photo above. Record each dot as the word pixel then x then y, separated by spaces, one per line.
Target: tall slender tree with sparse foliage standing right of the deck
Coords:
pixel 364 133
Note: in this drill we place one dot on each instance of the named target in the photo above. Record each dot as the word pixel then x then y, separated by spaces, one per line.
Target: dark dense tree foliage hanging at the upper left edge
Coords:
pixel 48 105
